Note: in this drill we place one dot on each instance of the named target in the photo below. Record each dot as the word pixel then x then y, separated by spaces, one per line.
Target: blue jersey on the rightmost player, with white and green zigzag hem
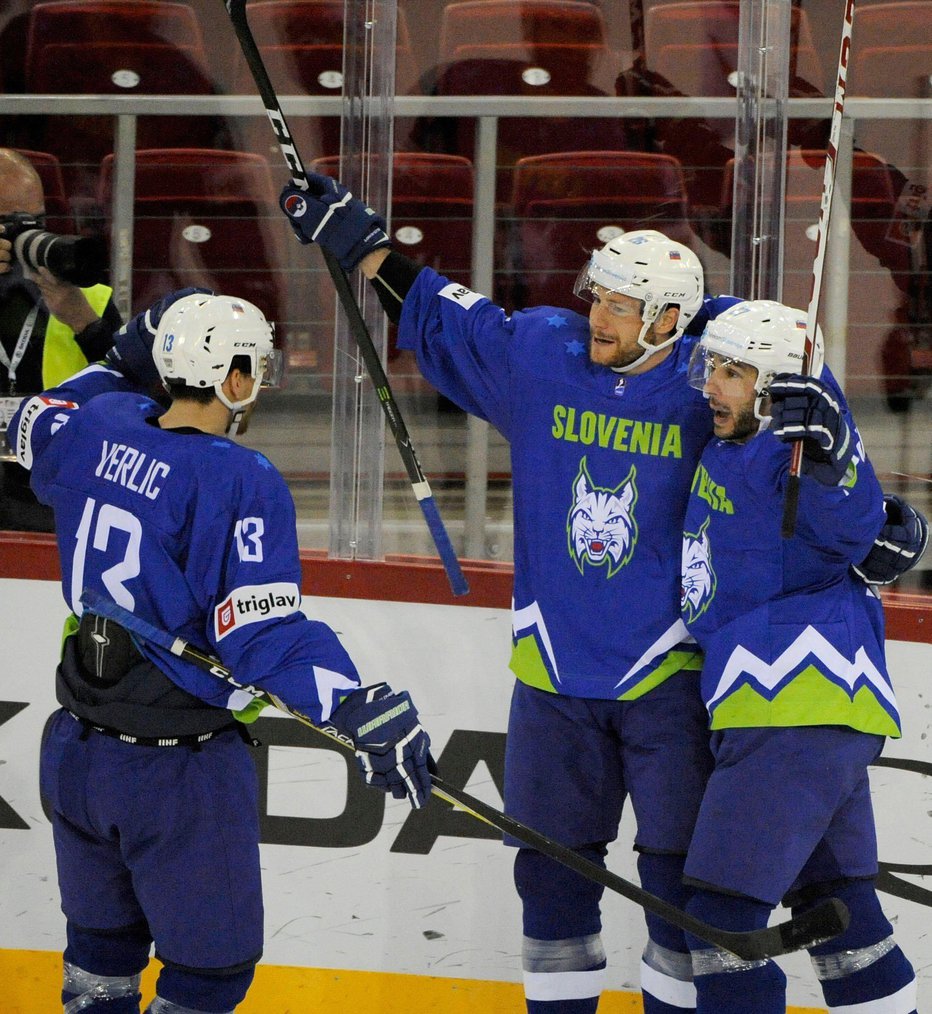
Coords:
pixel 790 636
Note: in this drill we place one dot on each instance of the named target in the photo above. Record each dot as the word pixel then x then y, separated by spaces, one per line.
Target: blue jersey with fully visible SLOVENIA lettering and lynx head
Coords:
pixel 602 465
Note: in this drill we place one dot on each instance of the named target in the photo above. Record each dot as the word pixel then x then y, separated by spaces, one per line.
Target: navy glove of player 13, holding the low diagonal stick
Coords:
pixel 392 749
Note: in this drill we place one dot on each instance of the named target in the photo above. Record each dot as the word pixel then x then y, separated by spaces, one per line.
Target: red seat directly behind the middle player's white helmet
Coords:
pixel 568 204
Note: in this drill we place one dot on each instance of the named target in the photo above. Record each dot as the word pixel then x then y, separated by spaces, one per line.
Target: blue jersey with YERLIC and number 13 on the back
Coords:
pixel 191 532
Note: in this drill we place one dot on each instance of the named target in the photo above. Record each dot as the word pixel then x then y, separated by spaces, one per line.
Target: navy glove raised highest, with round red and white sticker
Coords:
pixel 328 214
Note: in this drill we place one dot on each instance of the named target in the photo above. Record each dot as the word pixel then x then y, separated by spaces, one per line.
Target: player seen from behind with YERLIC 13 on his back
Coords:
pixel 151 783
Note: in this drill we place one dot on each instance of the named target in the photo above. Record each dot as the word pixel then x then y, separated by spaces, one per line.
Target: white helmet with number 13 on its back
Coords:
pixel 200 336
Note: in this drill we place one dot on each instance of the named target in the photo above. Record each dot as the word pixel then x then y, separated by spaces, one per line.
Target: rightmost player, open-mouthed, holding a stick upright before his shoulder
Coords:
pixel 795 677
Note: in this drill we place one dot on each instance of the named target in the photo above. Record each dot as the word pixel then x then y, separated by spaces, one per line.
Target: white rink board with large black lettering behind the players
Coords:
pixel 452 912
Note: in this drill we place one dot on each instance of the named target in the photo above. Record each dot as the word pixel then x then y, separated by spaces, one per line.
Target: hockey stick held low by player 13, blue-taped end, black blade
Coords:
pixel 820 924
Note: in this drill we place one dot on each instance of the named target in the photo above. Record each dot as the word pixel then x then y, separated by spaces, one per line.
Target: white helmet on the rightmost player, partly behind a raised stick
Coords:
pixel 763 334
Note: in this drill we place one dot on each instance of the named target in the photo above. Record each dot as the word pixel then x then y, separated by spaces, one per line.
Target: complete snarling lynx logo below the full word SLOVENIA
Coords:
pixel 601 528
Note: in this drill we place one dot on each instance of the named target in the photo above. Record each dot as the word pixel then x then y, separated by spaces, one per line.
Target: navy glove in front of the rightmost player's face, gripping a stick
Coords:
pixel 806 409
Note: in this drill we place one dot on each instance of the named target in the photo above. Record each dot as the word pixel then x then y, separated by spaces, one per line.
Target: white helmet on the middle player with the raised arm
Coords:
pixel 651 267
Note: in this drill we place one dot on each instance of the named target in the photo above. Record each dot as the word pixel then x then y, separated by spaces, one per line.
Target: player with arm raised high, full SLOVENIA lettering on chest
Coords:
pixel 605 437
